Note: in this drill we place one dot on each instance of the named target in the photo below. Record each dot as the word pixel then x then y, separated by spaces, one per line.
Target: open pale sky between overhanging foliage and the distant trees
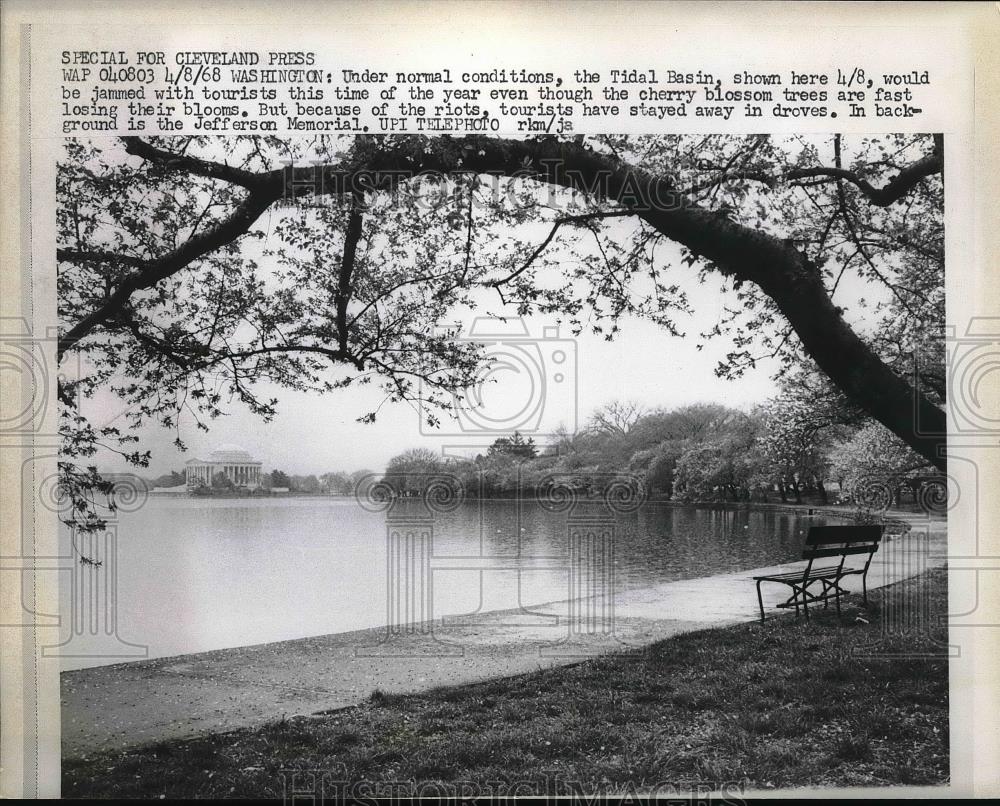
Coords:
pixel 315 433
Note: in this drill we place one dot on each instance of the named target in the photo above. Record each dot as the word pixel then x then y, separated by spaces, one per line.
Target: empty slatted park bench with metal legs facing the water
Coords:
pixel 823 542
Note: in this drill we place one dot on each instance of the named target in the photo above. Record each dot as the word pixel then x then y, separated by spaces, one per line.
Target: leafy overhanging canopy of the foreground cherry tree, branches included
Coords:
pixel 193 268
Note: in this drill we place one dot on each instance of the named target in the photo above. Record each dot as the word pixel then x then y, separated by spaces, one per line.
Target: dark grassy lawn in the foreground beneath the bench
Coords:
pixel 787 703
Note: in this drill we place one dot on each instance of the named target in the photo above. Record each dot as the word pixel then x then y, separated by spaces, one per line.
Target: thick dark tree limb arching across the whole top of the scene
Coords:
pixel 776 266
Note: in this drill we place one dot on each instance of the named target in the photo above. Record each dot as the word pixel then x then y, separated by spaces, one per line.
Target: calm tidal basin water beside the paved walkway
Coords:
pixel 195 574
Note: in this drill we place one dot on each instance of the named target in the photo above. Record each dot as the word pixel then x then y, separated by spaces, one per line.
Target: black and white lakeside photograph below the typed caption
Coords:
pixel 476 465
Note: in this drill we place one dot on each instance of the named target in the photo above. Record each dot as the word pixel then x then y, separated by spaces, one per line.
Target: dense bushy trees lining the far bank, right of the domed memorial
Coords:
pixel 807 444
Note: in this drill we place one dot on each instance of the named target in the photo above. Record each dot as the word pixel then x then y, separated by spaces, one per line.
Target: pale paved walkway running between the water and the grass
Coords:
pixel 116 707
